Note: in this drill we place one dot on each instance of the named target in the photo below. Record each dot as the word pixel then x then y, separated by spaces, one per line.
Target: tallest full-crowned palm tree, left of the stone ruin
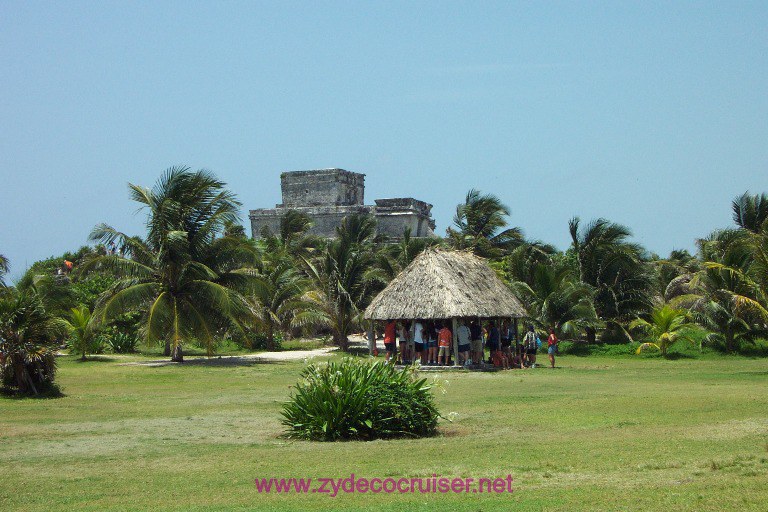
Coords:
pixel 183 276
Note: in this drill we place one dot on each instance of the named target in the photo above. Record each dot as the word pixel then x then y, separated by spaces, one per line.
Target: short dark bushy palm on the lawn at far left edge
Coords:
pixel 28 340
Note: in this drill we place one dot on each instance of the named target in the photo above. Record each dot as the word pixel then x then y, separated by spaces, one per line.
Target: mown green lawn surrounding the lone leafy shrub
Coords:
pixel 598 433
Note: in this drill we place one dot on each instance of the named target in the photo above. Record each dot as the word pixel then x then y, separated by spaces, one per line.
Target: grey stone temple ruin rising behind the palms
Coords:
pixel 329 195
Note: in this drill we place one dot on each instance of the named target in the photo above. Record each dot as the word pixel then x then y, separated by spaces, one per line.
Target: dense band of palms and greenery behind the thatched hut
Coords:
pixel 195 277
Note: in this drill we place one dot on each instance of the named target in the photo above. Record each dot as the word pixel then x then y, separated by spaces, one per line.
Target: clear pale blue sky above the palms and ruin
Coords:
pixel 654 115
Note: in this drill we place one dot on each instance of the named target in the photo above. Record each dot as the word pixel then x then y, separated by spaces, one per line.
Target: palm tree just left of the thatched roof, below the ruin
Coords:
pixel 344 276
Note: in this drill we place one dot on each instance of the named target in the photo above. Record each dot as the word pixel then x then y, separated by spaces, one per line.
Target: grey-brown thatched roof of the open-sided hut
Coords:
pixel 443 284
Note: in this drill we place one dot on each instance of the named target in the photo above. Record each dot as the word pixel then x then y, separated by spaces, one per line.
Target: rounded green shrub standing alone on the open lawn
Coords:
pixel 355 400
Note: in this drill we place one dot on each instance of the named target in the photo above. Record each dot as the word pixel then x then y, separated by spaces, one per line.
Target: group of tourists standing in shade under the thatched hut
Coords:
pixel 430 343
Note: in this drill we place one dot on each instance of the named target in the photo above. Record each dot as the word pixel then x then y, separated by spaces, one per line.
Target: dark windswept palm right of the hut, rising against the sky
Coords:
pixel 614 267
